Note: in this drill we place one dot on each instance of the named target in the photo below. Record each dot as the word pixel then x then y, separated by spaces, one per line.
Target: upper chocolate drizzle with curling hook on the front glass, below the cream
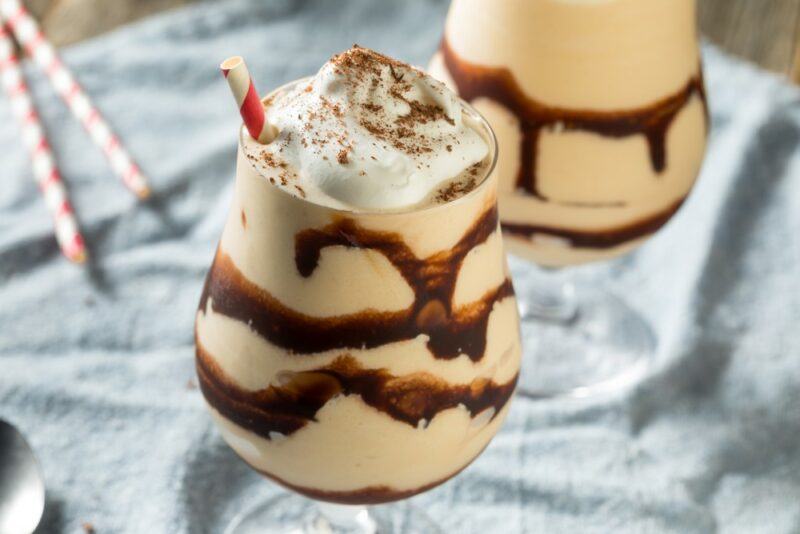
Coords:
pixel 450 332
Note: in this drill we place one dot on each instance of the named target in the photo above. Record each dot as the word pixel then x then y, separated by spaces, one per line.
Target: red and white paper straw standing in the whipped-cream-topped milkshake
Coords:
pixel 244 91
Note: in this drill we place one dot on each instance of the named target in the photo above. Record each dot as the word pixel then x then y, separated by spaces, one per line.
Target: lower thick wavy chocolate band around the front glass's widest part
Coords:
pixel 413 399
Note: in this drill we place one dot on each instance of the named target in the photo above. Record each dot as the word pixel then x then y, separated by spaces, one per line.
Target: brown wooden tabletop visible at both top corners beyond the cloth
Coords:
pixel 765 32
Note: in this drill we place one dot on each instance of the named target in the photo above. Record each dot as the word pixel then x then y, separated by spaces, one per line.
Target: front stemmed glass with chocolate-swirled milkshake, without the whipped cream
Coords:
pixel 356 358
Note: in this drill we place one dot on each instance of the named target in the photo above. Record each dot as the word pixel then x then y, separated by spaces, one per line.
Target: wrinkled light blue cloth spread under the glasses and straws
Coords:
pixel 96 363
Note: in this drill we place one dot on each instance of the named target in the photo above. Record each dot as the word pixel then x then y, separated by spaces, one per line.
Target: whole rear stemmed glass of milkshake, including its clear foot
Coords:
pixel 600 113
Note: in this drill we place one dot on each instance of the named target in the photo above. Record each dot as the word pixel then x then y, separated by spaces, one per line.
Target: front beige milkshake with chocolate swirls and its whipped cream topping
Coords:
pixel 357 337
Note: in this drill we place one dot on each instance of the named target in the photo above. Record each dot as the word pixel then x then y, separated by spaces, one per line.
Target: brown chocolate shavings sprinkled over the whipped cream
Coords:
pixel 400 114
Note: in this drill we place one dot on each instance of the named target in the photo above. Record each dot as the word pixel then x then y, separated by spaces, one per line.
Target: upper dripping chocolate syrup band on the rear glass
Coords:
pixel 498 84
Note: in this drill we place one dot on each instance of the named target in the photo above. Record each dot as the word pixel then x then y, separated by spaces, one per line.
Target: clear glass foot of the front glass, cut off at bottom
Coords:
pixel 292 514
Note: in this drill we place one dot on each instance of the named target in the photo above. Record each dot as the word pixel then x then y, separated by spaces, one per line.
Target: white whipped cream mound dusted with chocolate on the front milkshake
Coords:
pixel 368 132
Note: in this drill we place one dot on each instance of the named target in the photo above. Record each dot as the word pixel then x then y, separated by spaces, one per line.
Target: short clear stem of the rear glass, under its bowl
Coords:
pixel 550 297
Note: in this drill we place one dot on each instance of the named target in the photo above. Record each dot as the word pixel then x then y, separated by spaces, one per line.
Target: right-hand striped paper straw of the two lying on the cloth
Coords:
pixel 27 32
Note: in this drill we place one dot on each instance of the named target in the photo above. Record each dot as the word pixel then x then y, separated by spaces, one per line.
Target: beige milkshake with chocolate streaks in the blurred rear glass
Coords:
pixel 599 110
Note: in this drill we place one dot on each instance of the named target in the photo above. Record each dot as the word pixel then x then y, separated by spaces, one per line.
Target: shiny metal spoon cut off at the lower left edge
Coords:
pixel 21 483
